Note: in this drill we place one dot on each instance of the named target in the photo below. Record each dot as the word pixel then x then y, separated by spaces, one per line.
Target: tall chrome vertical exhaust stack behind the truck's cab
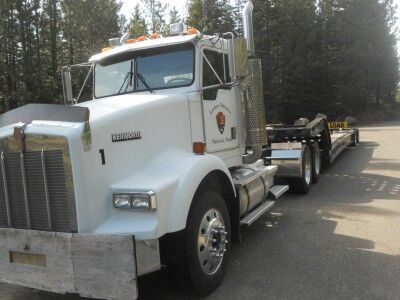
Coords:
pixel 256 135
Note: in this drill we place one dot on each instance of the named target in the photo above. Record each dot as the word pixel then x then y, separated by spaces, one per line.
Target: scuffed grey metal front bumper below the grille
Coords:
pixel 94 266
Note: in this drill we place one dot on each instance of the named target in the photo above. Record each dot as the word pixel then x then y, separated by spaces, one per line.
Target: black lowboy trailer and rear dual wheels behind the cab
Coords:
pixel 320 142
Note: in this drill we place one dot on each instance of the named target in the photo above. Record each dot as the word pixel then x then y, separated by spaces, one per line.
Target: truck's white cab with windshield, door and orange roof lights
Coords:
pixel 202 73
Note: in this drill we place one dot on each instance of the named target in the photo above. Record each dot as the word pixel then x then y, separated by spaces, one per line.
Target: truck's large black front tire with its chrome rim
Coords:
pixel 202 266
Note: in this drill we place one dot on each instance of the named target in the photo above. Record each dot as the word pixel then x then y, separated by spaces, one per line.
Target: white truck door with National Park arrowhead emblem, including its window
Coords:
pixel 219 102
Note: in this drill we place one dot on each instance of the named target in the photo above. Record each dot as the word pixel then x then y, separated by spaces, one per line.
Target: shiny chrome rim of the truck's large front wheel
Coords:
pixel 212 241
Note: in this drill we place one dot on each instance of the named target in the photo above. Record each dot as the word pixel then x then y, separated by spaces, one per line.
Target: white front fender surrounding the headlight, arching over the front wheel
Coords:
pixel 175 176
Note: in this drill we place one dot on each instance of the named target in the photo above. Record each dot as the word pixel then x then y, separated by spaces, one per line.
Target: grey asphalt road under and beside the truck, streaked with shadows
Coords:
pixel 341 241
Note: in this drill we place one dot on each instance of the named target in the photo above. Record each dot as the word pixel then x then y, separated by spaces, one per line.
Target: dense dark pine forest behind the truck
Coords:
pixel 331 56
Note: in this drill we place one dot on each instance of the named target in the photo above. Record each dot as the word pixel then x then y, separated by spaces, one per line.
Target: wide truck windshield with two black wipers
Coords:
pixel 154 69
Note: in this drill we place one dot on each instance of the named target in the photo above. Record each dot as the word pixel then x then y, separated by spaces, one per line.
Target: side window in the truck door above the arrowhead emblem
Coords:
pixel 209 77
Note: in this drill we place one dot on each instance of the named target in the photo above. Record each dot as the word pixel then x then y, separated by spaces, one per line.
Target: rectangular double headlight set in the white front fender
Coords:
pixel 135 201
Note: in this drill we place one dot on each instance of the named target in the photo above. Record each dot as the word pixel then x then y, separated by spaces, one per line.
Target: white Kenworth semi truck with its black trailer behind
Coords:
pixel 161 168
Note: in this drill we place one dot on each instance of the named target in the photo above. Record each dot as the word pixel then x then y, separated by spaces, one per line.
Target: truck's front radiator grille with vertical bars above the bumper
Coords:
pixel 34 187
